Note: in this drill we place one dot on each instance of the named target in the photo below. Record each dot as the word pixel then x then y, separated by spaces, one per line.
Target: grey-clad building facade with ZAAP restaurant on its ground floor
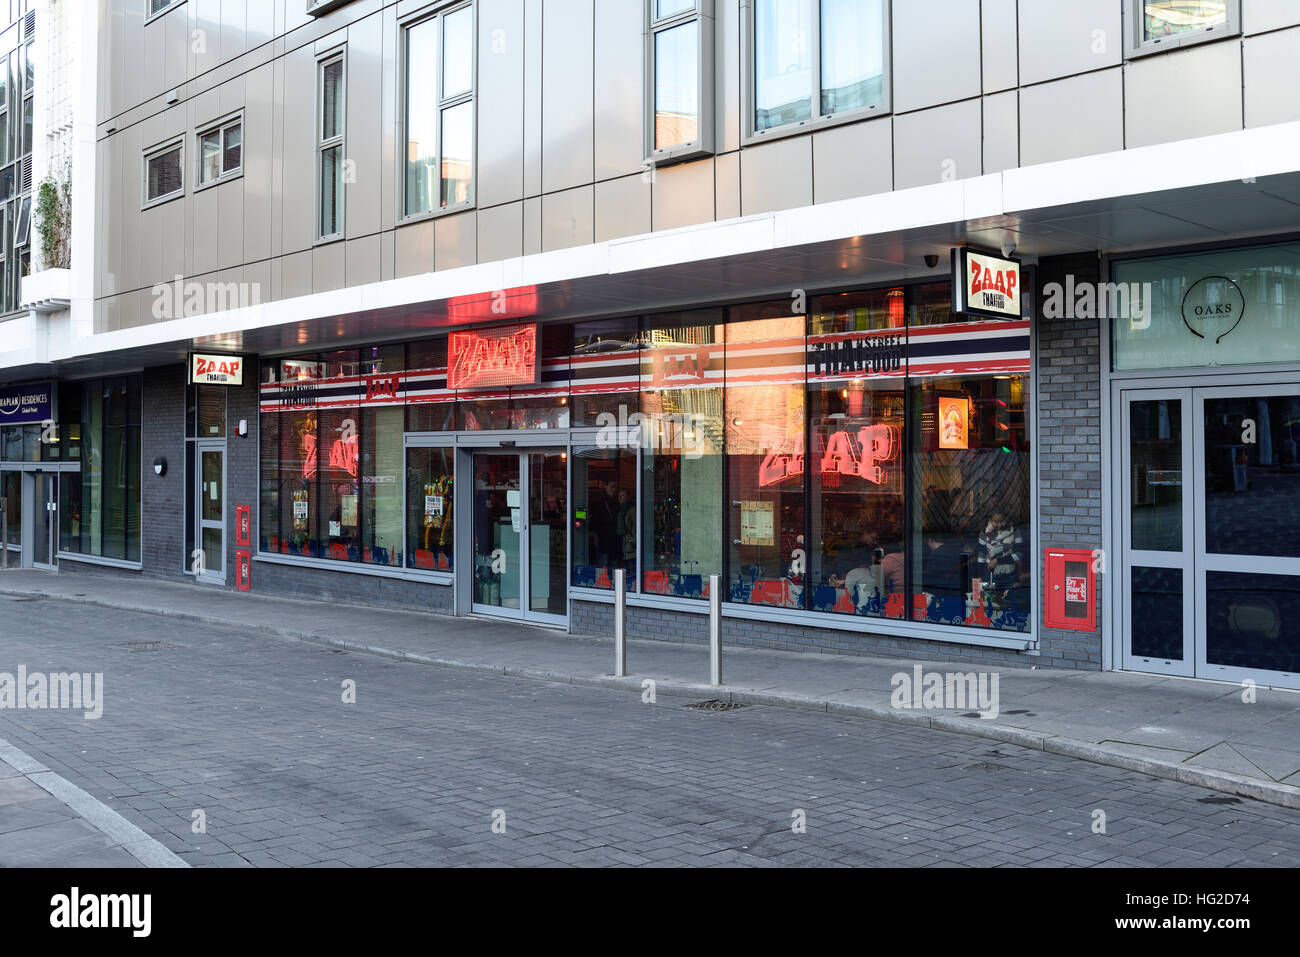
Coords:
pixel 954 328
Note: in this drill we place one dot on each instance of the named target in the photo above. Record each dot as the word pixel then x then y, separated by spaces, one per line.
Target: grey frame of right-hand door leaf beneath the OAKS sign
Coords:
pixel 1207 562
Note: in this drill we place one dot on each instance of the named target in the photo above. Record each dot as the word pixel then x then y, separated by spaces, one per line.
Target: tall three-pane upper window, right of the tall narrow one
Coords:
pixel 440 111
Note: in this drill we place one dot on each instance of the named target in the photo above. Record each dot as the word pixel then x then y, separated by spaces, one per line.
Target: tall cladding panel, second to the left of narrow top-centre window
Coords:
pixel 567 120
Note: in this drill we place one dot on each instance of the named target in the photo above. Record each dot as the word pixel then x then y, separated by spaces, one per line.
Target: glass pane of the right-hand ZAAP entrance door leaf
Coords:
pixel 548 538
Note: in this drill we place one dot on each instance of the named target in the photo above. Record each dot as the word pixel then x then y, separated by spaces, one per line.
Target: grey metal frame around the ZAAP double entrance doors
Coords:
pixel 505 444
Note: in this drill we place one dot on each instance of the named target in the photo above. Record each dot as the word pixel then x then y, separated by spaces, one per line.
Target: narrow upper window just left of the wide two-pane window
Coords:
pixel 679 75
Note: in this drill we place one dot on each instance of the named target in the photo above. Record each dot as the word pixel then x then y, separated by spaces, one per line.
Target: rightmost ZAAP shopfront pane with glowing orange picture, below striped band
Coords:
pixel 970 561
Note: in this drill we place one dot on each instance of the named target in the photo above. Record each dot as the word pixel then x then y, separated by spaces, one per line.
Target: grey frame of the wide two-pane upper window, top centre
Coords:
pixel 818 120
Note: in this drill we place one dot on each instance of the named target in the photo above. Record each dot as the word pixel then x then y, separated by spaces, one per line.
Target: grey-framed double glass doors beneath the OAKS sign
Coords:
pixel 1211 501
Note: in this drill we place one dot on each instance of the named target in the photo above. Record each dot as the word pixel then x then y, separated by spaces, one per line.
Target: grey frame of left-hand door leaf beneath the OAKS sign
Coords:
pixel 1132 558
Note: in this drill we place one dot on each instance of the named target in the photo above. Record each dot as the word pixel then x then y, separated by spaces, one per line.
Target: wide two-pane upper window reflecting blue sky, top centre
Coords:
pixel 814 62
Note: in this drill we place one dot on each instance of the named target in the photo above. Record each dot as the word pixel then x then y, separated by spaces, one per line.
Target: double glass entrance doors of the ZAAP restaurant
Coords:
pixel 521 535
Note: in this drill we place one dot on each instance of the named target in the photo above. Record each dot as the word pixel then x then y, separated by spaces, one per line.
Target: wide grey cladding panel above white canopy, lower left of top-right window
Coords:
pixel 1077 116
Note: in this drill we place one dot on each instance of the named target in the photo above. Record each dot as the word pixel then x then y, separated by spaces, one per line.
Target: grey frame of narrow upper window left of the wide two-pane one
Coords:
pixel 701 14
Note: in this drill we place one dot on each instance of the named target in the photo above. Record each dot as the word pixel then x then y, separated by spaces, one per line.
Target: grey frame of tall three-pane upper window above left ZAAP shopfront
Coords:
pixel 440 12
